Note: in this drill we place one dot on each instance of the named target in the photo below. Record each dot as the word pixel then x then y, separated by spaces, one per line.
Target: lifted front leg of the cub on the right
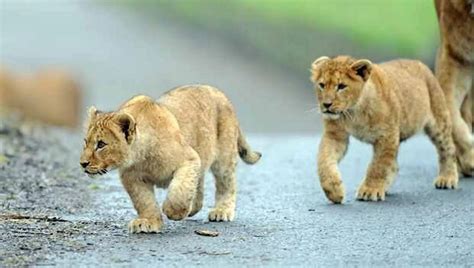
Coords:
pixel 332 149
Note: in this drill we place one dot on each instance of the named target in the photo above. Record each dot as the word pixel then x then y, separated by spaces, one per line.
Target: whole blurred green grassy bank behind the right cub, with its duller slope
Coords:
pixel 293 33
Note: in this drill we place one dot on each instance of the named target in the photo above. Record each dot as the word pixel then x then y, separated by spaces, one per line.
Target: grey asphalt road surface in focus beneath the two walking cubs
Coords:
pixel 283 217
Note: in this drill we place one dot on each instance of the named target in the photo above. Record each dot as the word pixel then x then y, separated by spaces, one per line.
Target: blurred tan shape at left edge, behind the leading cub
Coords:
pixel 51 96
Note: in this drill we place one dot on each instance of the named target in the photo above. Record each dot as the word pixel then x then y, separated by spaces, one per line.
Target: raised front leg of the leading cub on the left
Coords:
pixel 182 189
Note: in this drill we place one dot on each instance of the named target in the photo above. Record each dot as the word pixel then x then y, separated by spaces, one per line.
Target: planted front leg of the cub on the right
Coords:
pixel 382 169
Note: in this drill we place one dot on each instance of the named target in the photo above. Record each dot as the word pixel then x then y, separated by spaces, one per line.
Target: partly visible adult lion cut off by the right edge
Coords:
pixel 455 72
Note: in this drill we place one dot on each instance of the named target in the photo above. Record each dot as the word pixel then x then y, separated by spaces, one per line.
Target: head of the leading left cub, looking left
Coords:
pixel 107 141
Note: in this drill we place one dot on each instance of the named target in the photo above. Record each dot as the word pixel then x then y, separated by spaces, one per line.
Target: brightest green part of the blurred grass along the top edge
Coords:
pixel 410 24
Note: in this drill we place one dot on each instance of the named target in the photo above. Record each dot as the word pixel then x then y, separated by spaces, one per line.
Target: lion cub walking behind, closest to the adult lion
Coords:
pixel 381 104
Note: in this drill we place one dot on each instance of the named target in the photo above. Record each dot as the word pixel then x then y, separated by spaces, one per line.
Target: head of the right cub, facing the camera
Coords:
pixel 338 83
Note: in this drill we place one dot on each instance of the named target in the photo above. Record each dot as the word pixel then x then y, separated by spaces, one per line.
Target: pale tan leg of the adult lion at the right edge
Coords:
pixel 455 81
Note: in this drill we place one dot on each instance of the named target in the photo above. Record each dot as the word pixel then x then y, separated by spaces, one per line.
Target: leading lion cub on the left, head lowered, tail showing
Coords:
pixel 170 143
